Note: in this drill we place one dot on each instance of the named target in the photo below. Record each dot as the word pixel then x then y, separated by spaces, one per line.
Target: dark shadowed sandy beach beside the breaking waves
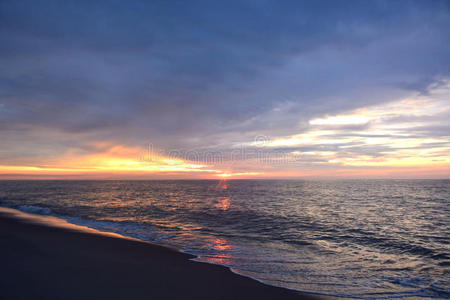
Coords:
pixel 39 261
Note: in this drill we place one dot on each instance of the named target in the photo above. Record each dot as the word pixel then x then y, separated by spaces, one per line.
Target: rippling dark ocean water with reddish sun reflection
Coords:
pixel 370 239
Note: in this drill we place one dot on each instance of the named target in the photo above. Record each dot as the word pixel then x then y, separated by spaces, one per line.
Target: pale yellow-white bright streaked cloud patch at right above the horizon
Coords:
pixel 387 132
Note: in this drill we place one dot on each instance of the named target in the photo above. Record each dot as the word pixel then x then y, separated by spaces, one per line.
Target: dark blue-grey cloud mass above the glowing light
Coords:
pixel 206 72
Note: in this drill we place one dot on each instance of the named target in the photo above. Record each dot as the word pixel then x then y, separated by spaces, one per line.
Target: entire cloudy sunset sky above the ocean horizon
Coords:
pixel 224 89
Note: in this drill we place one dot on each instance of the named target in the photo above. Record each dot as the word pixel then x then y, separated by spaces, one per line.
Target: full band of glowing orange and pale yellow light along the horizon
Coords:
pixel 380 136
